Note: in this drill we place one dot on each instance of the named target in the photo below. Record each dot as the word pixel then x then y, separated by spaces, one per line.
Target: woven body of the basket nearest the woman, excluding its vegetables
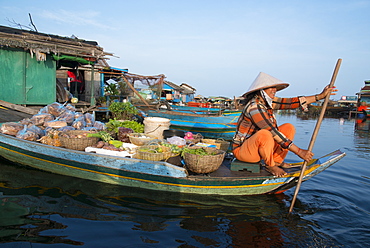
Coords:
pixel 204 163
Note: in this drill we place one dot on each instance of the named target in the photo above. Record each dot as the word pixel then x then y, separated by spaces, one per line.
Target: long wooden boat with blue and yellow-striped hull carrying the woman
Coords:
pixel 155 175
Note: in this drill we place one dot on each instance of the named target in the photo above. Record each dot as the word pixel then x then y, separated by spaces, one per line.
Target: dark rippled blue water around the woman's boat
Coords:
pixel 39 209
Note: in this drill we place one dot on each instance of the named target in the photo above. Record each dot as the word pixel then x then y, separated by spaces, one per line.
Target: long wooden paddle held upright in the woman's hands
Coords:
pixel 314 135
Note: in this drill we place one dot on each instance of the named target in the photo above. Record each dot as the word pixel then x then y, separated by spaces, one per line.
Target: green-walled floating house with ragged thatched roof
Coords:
pixel 38 68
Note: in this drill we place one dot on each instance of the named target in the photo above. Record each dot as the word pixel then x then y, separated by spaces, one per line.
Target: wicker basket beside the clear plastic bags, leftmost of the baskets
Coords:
pixel 77 140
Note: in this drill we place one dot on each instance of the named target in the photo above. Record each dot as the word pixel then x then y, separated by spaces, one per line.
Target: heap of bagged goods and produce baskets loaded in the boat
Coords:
pixel 62 126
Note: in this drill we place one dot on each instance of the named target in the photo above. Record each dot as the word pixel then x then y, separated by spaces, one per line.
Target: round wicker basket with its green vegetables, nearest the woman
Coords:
pixel 202 159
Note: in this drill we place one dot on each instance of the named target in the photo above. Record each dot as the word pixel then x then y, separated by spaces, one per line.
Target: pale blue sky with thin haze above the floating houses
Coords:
pixel 218 47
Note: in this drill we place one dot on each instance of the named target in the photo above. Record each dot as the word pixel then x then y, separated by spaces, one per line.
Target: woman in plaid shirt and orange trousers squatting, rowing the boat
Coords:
pixel 258 137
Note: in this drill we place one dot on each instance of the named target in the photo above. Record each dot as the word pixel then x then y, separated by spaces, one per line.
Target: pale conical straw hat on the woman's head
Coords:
pixel 264 81
